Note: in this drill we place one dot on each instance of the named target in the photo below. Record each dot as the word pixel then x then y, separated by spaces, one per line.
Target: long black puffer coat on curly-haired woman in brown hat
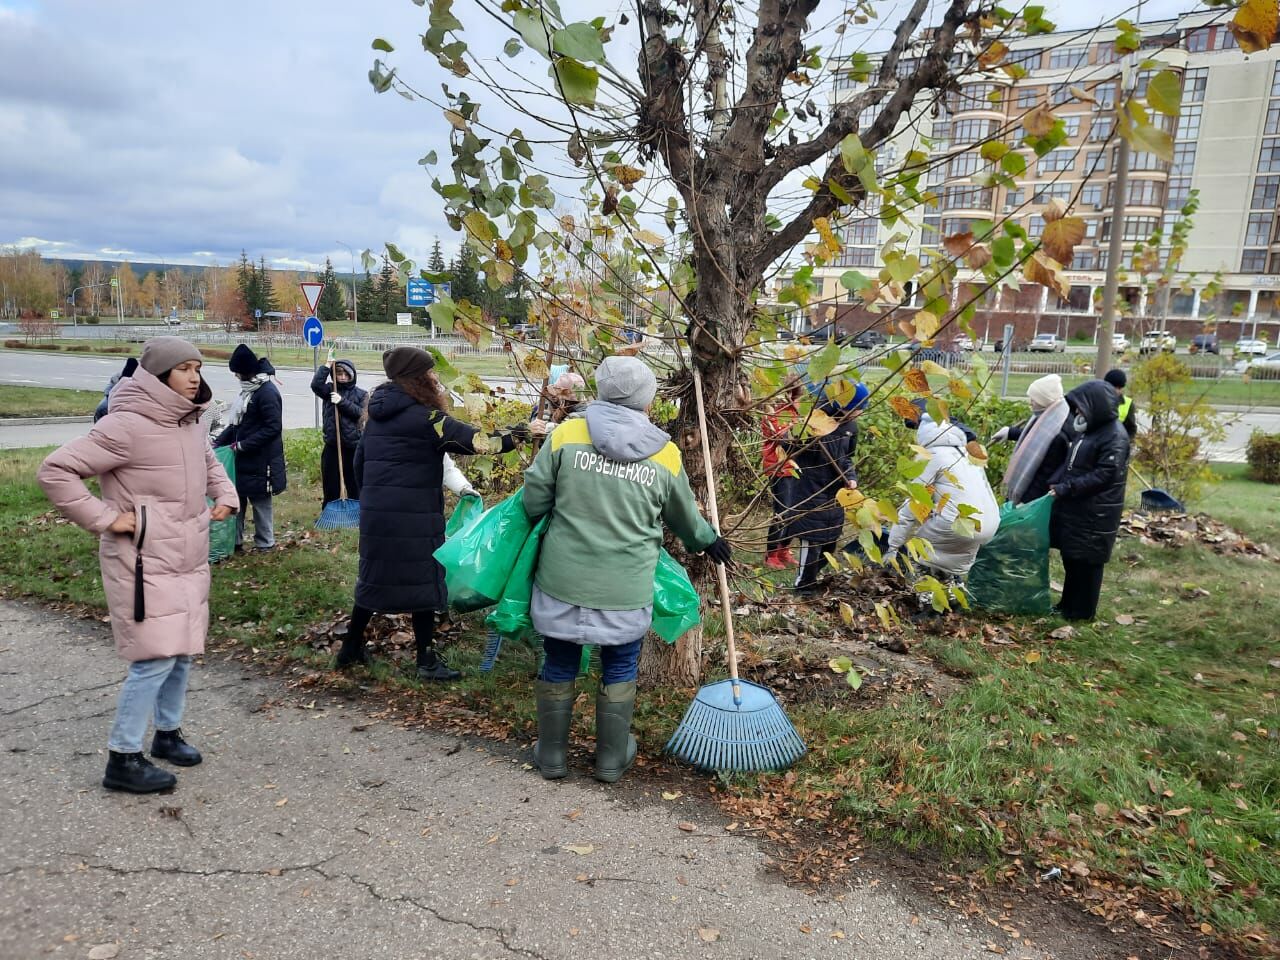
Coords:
pixel 400 465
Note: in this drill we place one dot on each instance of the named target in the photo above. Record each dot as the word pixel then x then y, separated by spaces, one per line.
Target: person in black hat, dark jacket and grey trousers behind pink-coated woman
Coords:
pixel 257 435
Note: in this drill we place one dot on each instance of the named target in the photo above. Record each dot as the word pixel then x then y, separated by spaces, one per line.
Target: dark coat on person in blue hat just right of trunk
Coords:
pixel 826 467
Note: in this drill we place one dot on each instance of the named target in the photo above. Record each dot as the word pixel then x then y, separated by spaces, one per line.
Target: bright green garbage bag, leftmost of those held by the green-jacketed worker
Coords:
pixel 478 563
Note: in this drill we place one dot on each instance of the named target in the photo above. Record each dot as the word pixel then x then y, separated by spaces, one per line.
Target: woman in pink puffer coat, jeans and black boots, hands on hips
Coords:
pixel 156 467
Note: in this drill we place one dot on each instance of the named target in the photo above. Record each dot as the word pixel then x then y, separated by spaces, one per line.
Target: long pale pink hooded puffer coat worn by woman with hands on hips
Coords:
pixel 154 459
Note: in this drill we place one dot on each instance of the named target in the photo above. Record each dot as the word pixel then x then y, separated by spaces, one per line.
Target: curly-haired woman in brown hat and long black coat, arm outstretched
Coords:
pixel 400 468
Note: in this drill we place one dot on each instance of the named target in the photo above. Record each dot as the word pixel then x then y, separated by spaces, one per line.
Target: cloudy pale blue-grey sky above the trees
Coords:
pixel 189 131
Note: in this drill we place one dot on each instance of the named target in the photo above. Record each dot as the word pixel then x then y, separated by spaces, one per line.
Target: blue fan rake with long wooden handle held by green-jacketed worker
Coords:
pixel 733 725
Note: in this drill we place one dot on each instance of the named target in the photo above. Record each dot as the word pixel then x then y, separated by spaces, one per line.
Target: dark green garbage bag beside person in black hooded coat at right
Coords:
pixel 1012 572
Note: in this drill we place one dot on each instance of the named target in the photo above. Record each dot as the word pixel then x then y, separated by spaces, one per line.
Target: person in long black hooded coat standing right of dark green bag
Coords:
pixel 1089 497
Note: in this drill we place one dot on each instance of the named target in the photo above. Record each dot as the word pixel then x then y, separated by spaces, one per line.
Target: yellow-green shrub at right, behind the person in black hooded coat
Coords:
pixel 1173 447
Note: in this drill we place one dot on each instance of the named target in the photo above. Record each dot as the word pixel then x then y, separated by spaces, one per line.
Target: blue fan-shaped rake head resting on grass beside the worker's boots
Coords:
pixel 720 735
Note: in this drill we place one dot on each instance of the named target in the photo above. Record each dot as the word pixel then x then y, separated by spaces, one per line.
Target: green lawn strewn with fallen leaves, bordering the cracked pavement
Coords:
pixel 1140 753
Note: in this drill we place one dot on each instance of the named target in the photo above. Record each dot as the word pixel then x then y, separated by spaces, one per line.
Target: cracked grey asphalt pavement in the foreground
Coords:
pixel 319 829
